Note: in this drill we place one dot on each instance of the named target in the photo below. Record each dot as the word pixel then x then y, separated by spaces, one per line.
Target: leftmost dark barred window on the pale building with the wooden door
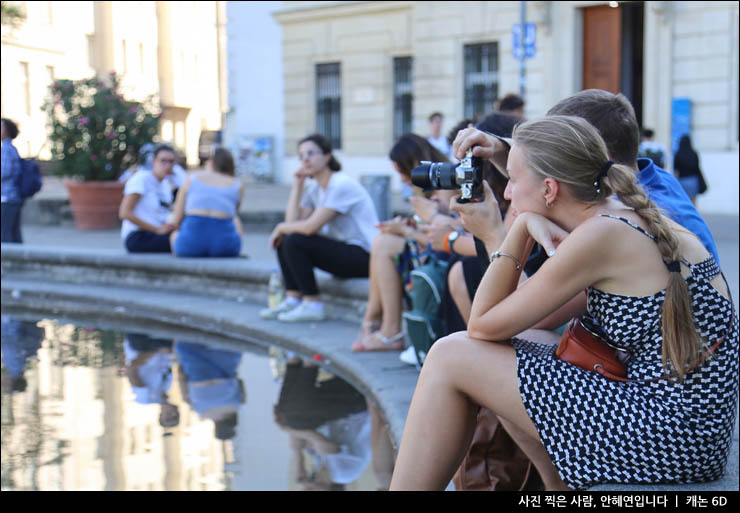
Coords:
pixel 328 103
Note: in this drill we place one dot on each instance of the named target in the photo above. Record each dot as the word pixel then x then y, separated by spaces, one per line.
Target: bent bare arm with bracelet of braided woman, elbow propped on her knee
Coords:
pixel 501 310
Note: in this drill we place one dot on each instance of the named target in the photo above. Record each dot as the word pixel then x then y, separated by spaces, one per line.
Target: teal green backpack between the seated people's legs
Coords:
pixel 422 324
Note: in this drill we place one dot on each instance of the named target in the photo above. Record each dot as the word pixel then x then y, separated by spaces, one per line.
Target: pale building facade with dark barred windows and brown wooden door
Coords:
pixel 364 72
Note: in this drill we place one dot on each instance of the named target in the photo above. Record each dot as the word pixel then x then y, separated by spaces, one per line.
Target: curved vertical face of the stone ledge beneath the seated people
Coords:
pixel 234 278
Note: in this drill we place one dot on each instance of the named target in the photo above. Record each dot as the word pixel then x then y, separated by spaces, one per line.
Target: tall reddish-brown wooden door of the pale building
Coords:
pixel 602 48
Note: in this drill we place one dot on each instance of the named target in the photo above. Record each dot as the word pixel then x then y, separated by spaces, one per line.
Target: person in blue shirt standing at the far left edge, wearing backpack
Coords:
pixel 11 197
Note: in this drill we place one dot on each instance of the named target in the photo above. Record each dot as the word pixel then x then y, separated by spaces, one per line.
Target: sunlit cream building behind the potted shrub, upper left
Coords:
pixel 158 48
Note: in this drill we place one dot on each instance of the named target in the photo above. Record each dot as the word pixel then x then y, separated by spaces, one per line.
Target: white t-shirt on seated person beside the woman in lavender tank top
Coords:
pixel 154 204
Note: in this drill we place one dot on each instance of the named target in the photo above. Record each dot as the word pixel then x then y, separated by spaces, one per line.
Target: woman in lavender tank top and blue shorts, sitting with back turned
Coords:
pixel 207 211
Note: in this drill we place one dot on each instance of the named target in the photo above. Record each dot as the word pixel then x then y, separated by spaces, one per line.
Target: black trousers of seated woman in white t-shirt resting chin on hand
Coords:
pixel 299 254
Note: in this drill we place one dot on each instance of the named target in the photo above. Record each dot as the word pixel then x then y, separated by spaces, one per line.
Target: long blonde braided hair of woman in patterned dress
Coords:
pixel 571 151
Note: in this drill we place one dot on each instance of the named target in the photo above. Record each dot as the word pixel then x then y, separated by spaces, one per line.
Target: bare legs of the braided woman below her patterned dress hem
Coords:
pixel 458 374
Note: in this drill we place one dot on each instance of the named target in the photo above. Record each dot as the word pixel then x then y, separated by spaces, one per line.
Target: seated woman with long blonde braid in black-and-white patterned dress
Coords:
pixel 652 286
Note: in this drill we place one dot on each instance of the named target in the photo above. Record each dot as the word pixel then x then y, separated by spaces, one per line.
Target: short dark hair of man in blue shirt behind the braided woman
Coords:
pixel 612 115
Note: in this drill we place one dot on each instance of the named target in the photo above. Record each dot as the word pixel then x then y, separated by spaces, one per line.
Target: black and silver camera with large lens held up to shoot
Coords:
pixel 466 176
